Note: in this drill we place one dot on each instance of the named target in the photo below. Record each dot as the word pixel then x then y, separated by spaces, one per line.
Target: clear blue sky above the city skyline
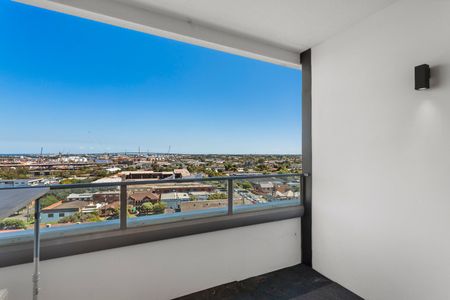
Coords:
pixel 74 85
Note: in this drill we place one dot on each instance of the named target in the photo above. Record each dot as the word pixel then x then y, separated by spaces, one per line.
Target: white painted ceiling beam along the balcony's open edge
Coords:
pixel 156 23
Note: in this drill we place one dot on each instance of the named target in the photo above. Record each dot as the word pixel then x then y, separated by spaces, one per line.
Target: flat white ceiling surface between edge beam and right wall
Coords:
pixel 291 24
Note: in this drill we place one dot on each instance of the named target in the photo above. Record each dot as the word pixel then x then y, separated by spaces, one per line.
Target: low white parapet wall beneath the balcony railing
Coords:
pixel 164 269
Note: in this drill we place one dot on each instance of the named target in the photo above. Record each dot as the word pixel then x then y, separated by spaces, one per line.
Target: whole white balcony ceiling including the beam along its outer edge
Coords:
pixel 270 30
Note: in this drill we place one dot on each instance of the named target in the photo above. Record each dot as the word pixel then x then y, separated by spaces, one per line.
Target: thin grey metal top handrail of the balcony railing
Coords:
pixel 159 181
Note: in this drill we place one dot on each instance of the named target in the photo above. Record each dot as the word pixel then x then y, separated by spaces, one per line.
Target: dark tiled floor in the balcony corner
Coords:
pixel 298 282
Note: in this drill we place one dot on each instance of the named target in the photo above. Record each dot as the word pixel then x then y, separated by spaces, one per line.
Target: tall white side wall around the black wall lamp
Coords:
pixel 381 155
